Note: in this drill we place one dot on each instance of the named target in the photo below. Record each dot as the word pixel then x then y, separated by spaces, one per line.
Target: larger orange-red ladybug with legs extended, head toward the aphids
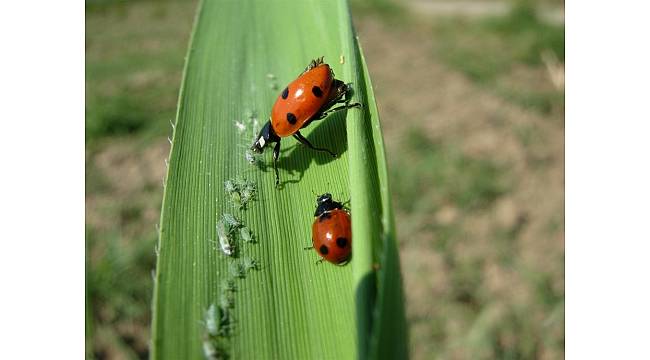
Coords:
pixel 309 98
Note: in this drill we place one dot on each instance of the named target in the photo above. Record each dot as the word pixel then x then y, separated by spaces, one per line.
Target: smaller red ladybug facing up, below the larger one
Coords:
pixel 332 230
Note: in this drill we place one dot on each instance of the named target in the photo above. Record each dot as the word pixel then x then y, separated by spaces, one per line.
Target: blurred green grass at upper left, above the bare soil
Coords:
pixel 132 74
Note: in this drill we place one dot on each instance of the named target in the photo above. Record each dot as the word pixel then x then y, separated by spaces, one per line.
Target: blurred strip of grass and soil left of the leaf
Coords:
pixel 134 59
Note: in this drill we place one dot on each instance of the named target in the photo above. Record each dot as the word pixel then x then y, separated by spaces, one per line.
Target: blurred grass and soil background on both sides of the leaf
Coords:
pixel 471 96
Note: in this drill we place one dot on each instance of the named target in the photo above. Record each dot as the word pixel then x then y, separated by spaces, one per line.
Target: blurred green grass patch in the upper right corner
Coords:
pixel 489 50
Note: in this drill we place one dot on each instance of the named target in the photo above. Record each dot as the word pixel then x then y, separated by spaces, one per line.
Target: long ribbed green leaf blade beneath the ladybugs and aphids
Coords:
pixel 242 53
